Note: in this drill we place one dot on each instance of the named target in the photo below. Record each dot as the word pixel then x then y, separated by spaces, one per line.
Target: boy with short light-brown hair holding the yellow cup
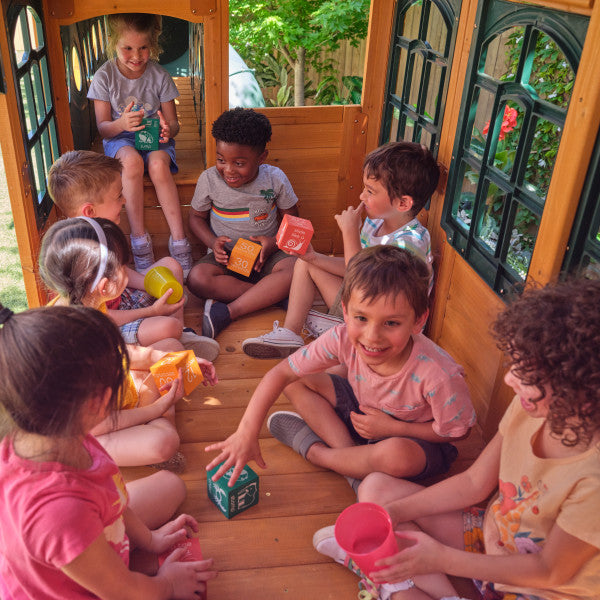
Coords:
pixel 87 184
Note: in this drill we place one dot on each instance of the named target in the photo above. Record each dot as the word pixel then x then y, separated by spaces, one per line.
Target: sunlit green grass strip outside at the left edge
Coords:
pixel 12 289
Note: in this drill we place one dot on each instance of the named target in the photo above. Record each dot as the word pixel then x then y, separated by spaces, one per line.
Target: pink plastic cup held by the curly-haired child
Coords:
pixel 364 531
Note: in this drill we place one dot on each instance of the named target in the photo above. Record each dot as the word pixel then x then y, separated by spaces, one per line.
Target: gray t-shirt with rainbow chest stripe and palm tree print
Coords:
pixel 247 210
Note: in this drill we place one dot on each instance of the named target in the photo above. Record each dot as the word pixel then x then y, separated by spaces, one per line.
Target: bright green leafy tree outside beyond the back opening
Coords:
pixel 299 30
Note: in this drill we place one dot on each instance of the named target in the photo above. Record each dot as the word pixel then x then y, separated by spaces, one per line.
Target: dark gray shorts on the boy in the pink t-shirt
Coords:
pixel 438 457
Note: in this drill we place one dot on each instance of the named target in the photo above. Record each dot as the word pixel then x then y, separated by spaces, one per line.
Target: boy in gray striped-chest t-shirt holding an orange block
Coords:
pixel 240 197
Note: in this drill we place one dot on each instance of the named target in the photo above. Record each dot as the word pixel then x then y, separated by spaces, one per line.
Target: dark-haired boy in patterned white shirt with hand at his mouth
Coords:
pixel 398 179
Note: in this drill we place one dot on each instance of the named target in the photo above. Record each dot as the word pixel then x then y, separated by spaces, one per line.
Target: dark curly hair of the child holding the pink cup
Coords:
pixel 552 336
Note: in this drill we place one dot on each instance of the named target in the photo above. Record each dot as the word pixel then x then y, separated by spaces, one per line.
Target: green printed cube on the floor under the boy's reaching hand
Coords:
pixel 233 500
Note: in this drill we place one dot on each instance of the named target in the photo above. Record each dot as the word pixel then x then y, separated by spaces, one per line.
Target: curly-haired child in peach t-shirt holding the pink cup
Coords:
pixel 539 538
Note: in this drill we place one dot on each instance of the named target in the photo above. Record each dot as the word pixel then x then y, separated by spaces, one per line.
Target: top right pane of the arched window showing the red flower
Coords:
pixel 552 77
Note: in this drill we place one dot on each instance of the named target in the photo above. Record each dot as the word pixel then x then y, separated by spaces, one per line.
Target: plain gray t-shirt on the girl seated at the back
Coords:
pixel 148 91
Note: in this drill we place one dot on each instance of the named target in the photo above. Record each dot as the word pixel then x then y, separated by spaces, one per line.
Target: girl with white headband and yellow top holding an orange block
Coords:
pixel 82 260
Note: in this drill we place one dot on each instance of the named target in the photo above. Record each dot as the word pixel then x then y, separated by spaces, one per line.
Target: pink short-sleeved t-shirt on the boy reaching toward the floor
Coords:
pixel 429 387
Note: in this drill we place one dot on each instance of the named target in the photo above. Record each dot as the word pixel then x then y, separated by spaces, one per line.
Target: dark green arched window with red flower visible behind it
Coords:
pixel 522 69
